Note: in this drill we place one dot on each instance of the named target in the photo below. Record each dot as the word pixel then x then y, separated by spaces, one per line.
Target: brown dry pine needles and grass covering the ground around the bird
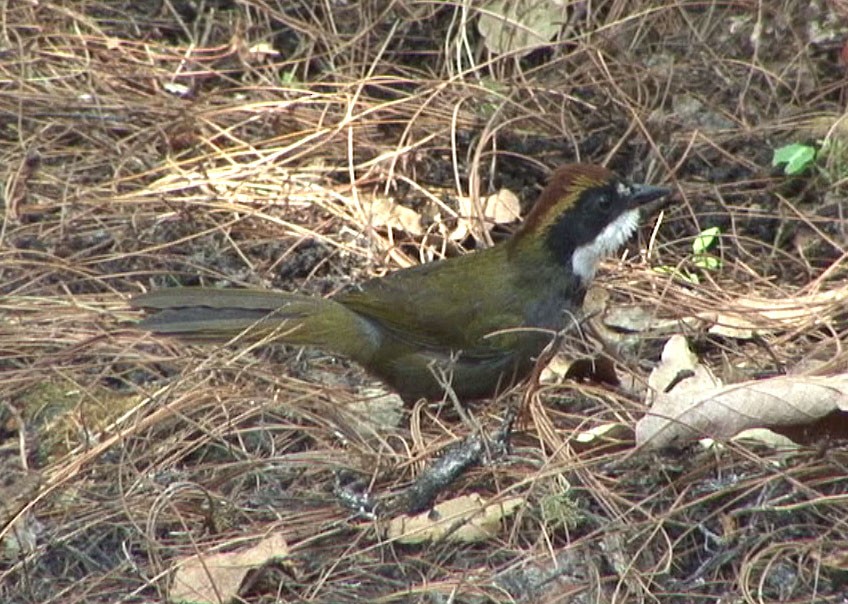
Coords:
pixel 121 453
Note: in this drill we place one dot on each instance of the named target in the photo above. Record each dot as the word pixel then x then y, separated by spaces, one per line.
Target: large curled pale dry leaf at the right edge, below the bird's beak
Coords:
pixel 688 403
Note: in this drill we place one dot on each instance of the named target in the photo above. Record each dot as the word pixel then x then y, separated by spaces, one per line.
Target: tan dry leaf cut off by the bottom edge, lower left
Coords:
pixel 215 578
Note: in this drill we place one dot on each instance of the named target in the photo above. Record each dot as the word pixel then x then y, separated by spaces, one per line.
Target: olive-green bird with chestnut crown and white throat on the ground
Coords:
pixel 475 322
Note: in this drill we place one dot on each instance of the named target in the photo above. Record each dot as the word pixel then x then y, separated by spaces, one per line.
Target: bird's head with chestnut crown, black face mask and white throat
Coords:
pixel 585 213
